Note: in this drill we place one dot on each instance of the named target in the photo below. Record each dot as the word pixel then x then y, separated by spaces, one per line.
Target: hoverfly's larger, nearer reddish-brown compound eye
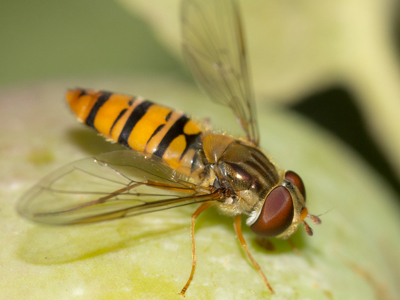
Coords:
pixel 276 215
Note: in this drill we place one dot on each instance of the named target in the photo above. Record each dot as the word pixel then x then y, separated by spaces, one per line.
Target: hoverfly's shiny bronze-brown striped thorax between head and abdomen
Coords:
pixel 242 169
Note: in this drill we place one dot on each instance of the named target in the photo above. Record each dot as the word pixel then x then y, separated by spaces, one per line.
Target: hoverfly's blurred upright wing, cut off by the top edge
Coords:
pixel 214 49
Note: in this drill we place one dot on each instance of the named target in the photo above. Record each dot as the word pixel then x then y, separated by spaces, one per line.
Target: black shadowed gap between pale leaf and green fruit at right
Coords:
pixel 335 110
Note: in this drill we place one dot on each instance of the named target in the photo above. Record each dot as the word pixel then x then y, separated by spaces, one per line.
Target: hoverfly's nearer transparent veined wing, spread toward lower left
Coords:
pixel 109 186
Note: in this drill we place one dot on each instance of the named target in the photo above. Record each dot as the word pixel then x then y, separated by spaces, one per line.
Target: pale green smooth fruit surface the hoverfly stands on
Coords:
pixel 352 255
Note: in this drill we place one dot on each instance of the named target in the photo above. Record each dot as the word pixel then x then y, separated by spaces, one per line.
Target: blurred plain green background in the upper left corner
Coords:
pixel 46 39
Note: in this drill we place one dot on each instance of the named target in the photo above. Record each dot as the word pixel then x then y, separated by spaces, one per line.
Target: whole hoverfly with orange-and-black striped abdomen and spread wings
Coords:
pixel 173 161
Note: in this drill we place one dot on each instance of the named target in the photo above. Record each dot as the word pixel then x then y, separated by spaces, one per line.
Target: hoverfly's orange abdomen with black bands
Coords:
pixel 139 124
